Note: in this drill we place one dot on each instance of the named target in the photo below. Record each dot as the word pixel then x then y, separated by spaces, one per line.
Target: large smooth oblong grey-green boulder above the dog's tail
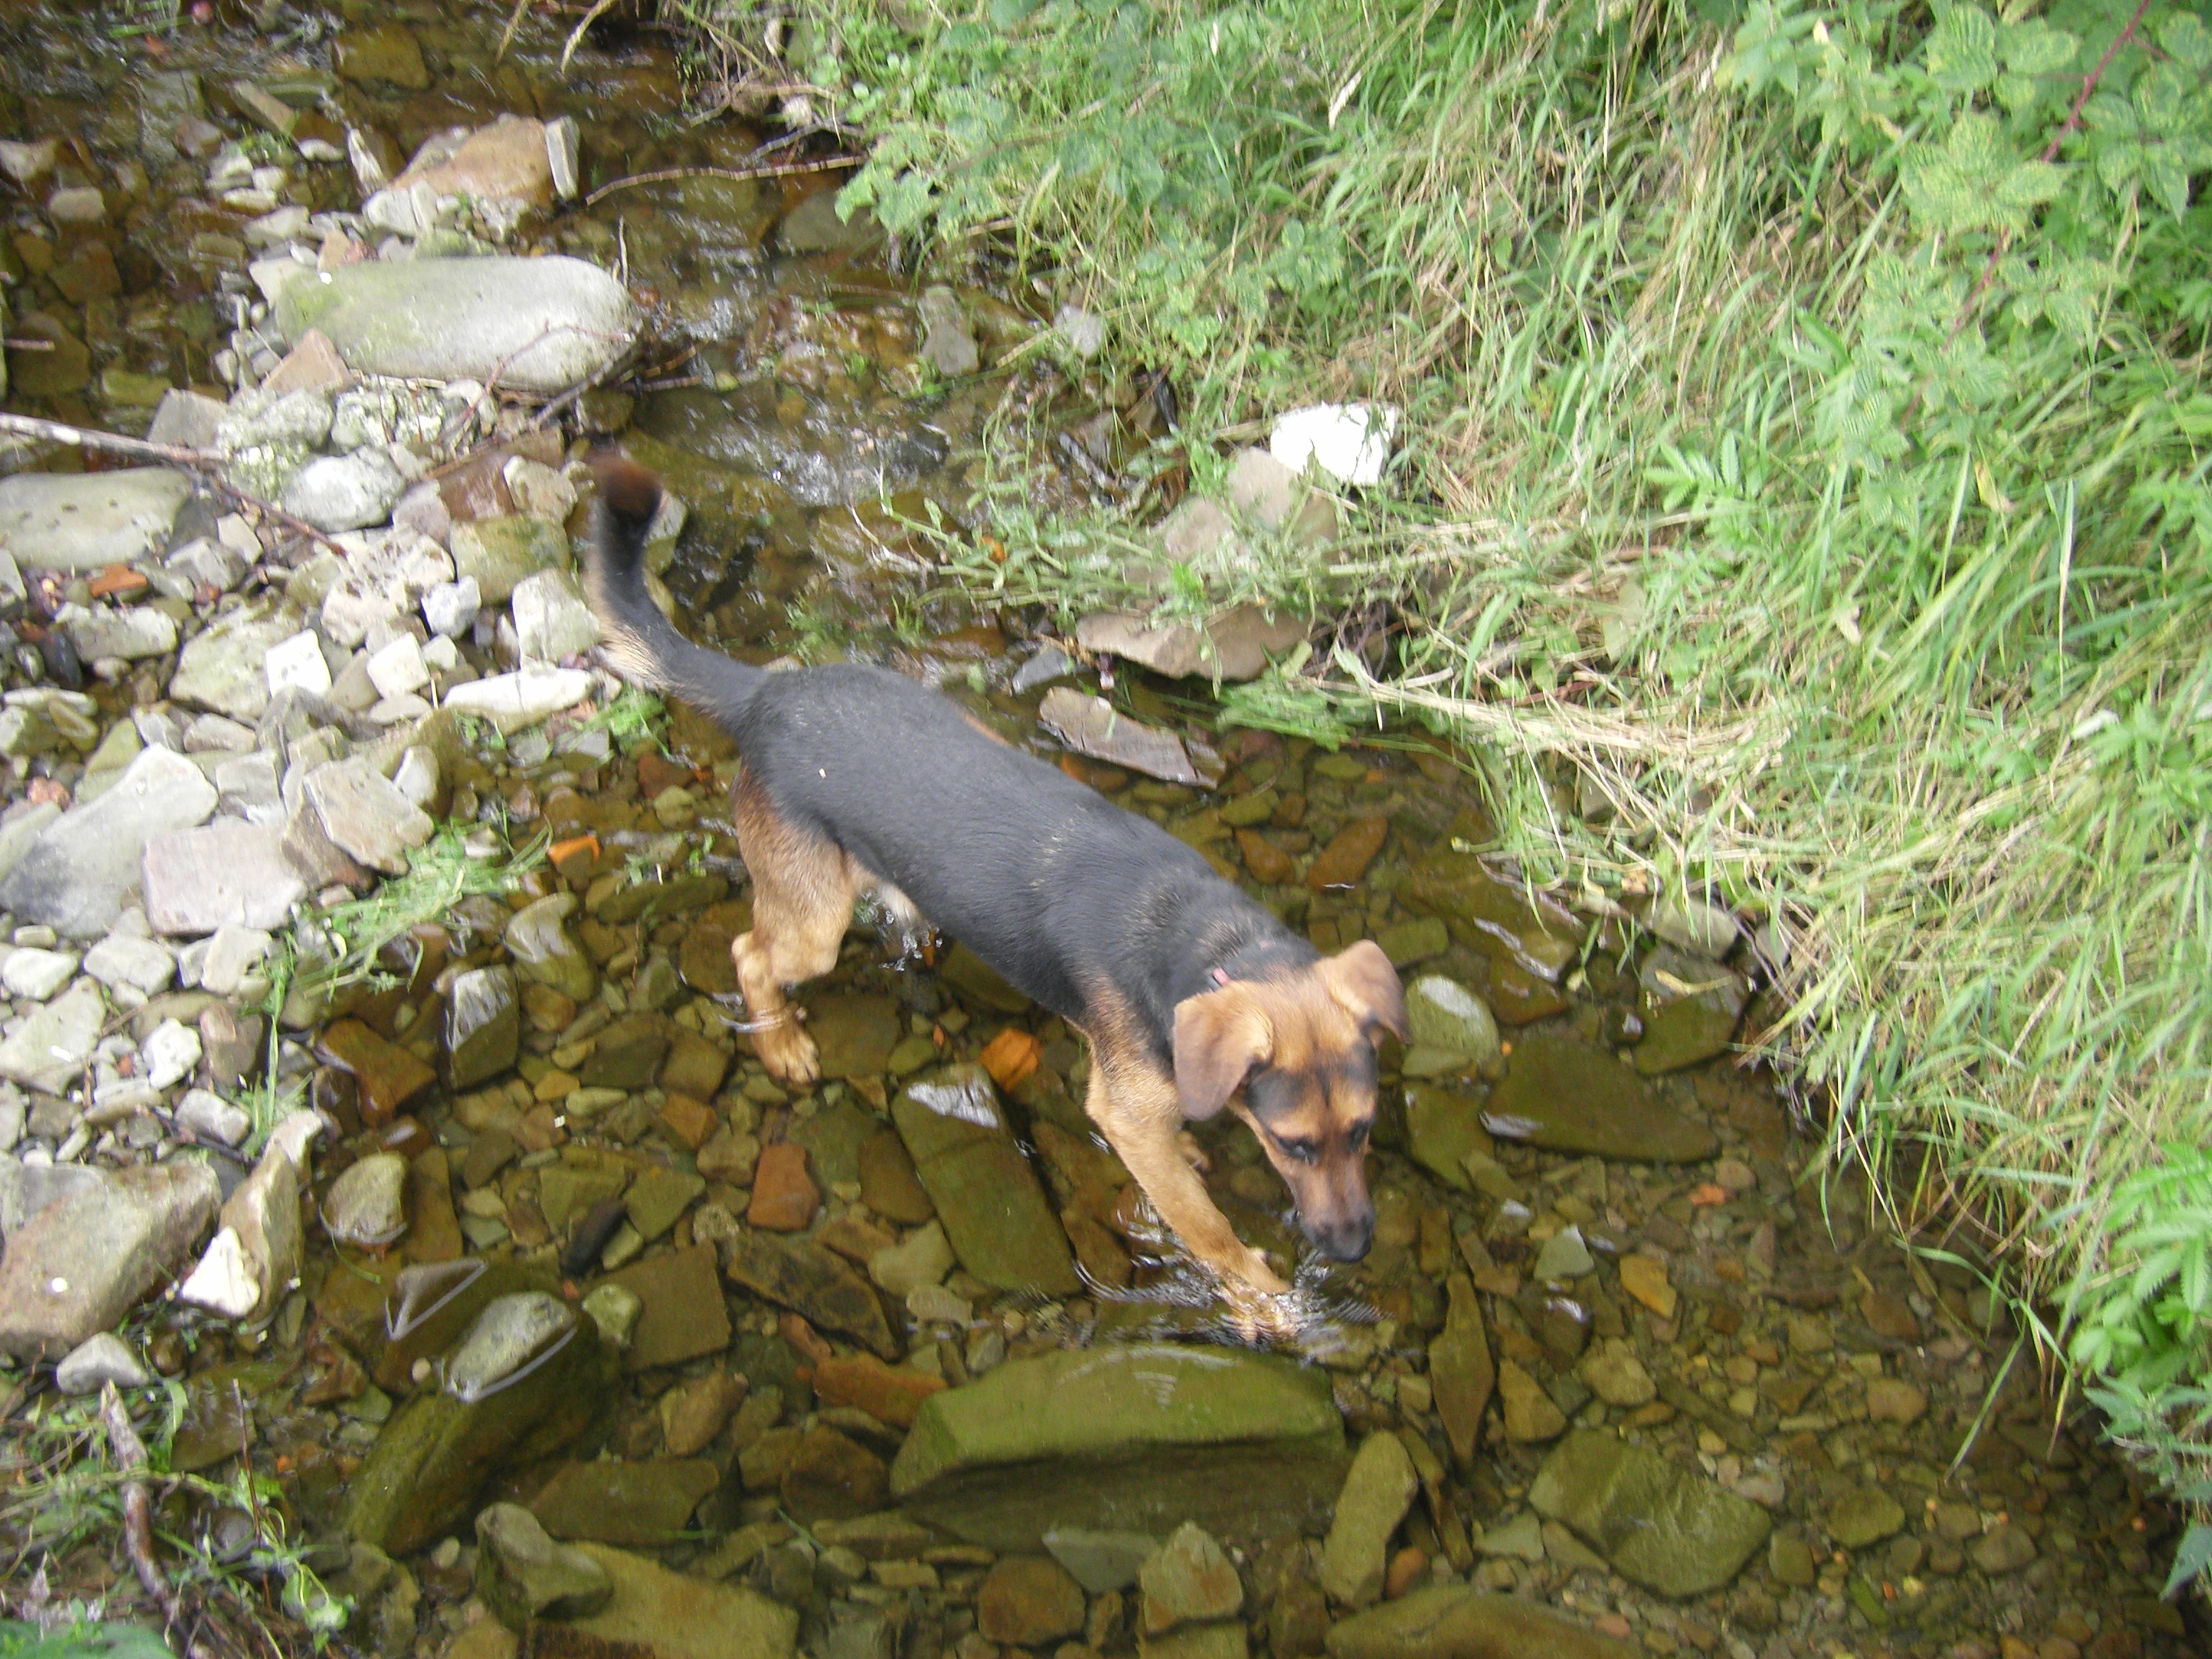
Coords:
pixel 536 324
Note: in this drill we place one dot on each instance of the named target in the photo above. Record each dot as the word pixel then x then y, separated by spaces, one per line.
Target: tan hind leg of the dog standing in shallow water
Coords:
pixel 802 904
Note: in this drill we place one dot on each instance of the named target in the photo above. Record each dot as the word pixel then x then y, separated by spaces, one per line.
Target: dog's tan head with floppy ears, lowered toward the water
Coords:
pixel 1295 1058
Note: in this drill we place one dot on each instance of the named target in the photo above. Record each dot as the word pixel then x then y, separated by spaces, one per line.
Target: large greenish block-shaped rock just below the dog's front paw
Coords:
pixel 1127 1439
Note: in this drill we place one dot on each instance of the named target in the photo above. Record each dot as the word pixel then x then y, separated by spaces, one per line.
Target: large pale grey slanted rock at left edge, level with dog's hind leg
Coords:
pixel 79 870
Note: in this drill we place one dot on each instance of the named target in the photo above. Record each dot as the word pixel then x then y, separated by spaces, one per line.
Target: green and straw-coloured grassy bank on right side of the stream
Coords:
pixel 1804 501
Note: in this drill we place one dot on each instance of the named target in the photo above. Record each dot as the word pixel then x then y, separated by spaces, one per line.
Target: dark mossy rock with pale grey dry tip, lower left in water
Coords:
pixel 494 1412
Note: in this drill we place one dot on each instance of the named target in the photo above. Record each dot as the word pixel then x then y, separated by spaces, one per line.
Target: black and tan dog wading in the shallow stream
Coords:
pixel 1193 997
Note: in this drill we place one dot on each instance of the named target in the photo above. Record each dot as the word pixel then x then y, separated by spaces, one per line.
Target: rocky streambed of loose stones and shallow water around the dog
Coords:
pixel 377 1127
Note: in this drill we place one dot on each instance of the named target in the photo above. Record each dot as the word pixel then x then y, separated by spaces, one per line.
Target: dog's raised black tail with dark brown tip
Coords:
pixel 640 640
